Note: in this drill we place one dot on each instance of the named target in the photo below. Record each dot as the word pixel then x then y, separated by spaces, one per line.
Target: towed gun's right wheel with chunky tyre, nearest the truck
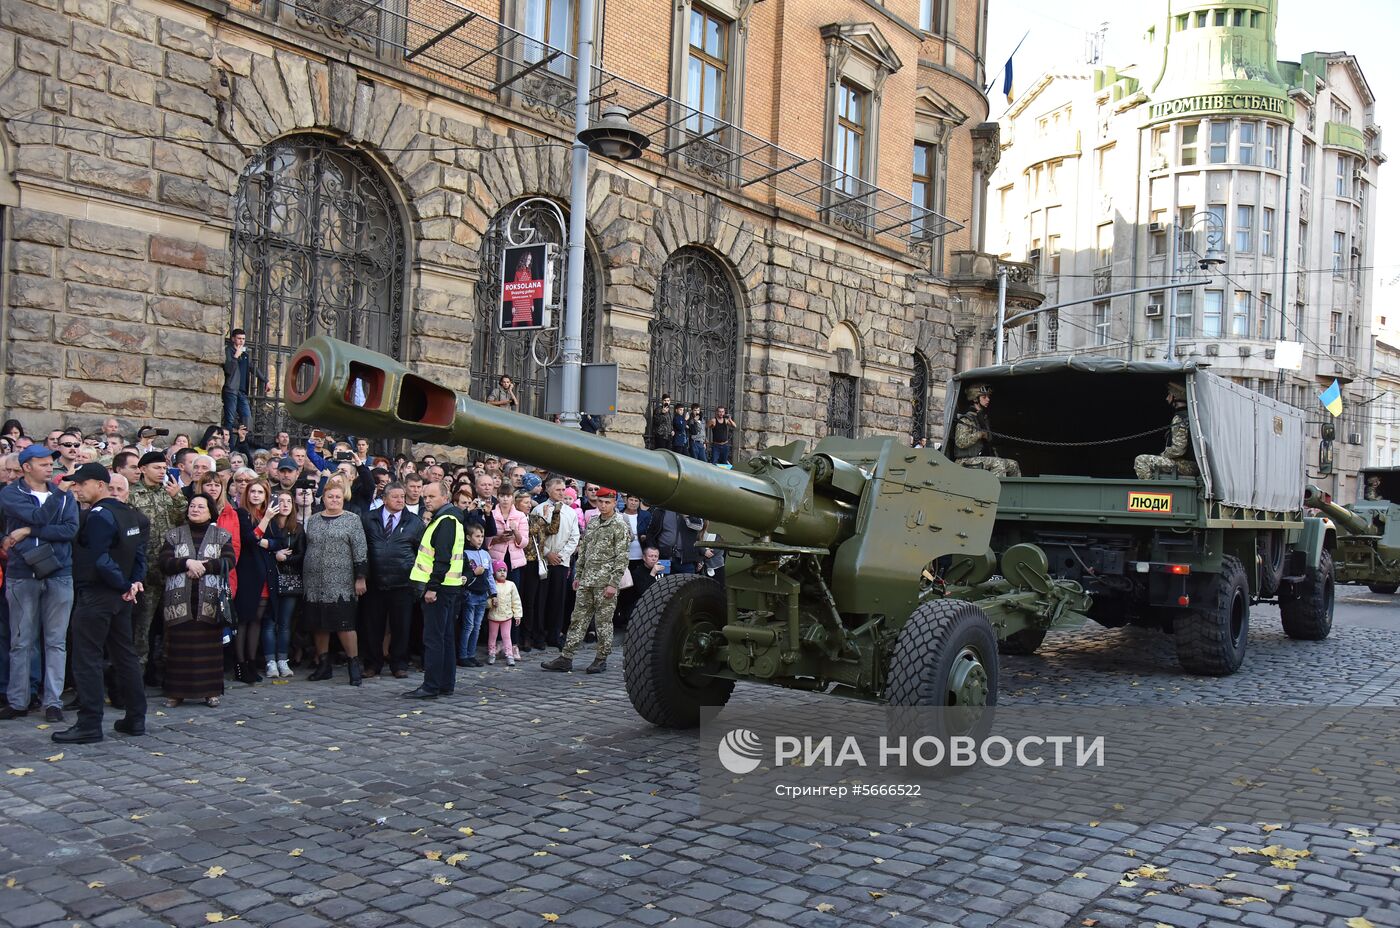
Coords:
pixel 946 659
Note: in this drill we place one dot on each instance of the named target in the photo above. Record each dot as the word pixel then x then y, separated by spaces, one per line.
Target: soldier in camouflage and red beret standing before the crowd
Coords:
pixel 601 562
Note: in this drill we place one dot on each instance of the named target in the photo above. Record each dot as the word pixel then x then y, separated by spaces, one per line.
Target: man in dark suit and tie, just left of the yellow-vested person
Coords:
pixel 394 537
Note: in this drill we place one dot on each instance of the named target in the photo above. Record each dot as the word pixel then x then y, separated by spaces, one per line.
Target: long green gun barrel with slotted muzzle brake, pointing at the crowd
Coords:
pixel 349 388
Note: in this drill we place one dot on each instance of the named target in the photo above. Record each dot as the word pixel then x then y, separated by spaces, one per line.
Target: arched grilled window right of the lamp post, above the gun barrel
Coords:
pixel 695 334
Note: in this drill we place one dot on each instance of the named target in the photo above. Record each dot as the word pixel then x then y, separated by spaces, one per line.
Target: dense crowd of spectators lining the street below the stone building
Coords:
pixel 300 558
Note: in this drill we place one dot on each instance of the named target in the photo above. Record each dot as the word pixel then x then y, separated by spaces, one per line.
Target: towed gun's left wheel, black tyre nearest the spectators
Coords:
pixel 668 621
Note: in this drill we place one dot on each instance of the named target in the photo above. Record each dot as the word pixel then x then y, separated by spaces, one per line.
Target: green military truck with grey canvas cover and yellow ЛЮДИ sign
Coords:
pixel 1188 555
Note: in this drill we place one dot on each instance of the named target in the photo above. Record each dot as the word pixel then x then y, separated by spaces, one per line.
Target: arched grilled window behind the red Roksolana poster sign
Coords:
pixel 519 353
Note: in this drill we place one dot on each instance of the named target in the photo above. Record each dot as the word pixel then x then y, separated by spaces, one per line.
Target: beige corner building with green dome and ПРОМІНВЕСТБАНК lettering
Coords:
pixel 1209 145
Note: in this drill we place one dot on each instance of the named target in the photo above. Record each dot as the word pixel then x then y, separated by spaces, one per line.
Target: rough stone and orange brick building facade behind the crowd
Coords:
pixel 174 169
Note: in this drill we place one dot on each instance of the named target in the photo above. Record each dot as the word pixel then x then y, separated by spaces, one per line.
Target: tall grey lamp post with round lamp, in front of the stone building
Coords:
pixel 614 138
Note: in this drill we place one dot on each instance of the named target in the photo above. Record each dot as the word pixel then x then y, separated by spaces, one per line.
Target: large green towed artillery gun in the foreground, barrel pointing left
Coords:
pixel 825 589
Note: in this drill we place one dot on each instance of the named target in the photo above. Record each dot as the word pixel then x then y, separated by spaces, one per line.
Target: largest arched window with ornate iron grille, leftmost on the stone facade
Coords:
pixel 318 248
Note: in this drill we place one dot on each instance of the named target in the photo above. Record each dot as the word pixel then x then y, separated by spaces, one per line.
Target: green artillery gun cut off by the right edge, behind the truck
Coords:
pixel 1368 533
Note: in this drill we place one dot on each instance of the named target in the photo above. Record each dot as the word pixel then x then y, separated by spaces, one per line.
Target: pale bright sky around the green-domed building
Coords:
pixel 1056 36
